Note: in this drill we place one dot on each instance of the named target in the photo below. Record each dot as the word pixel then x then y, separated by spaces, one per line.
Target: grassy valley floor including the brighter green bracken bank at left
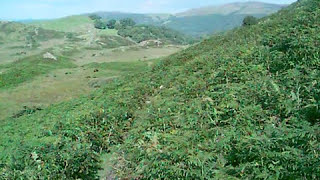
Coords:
pixel 36 82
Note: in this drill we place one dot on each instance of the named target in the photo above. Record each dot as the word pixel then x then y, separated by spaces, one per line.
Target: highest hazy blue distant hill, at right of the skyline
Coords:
pixel 214 19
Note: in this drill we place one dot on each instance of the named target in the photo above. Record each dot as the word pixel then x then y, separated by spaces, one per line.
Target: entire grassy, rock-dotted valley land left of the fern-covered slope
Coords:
pixel 30 81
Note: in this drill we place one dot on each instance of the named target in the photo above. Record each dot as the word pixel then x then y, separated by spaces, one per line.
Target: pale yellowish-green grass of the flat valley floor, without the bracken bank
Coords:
pixel 67 83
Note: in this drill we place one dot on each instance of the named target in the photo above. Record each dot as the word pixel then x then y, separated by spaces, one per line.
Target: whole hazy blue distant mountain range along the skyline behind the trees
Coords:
pixel 200 21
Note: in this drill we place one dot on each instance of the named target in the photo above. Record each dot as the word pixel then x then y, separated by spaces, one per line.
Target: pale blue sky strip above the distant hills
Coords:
pixel 45 9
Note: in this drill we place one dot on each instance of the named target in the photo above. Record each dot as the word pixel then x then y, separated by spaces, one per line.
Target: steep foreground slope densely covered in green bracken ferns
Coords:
pixel 243 105
